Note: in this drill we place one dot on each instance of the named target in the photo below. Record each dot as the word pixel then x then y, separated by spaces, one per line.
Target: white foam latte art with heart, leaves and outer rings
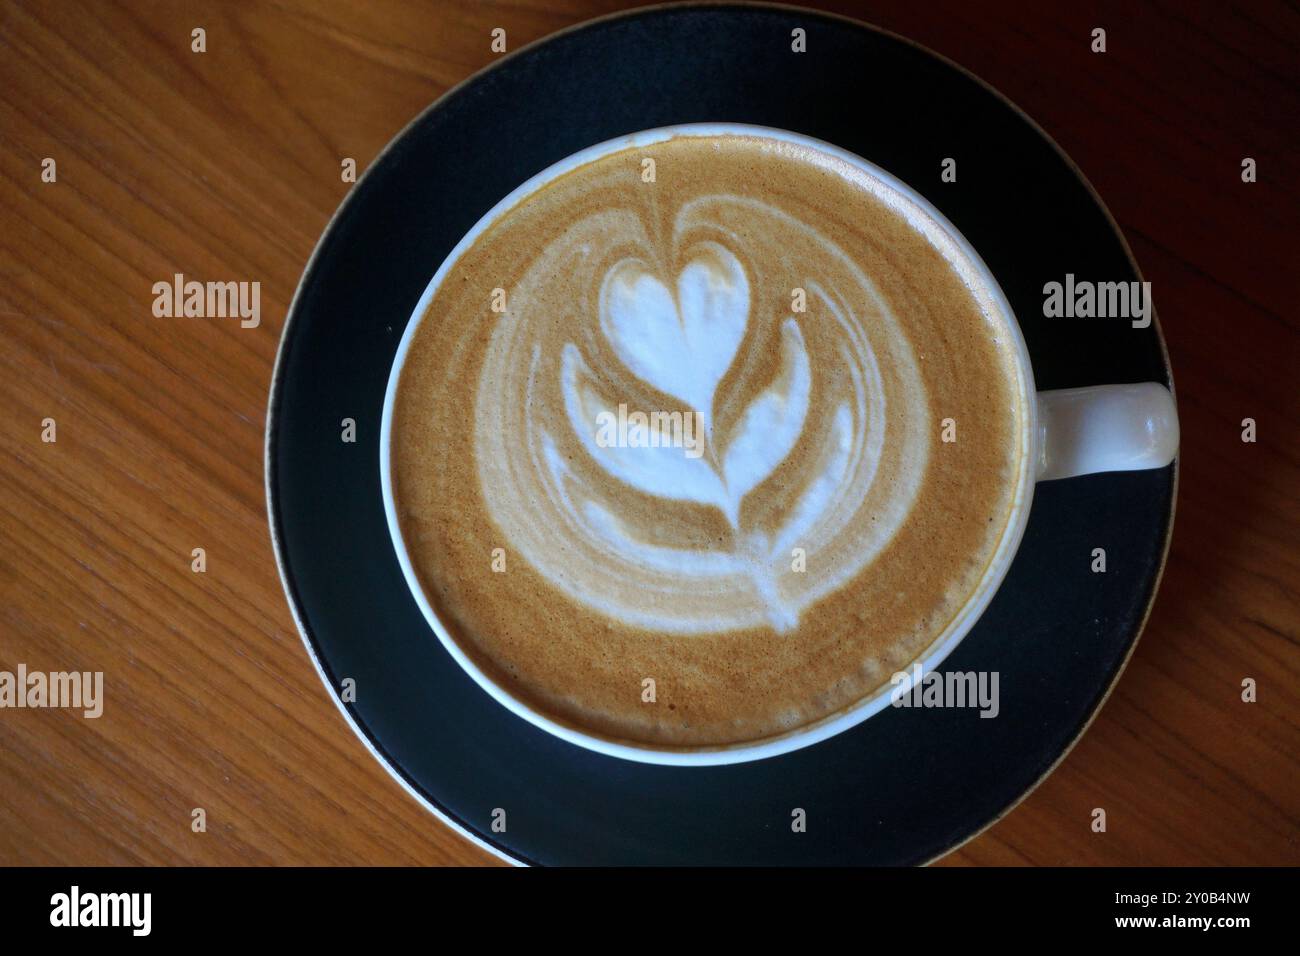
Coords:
pixel 691 321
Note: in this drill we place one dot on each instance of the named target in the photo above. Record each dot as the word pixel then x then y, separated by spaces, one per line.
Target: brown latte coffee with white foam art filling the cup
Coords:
pixel 697 452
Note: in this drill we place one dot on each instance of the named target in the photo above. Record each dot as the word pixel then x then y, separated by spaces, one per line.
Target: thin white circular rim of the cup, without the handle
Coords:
pixel 993 300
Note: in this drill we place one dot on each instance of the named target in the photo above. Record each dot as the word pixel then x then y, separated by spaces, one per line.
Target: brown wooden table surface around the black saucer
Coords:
pixel 227 166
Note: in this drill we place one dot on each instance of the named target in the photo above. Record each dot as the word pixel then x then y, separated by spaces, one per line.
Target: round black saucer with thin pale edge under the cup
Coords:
pixel 907 785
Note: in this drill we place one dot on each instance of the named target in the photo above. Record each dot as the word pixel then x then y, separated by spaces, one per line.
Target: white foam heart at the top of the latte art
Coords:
pixel 681 345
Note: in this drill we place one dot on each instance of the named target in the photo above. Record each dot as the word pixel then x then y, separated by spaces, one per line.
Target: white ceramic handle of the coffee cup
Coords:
pixel 1106 429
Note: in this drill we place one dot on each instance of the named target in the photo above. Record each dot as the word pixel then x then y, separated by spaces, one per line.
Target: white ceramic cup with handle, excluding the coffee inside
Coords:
pixel 1065 434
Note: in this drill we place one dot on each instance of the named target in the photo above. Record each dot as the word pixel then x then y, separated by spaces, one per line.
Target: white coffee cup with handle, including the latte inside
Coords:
pixel 691 327
